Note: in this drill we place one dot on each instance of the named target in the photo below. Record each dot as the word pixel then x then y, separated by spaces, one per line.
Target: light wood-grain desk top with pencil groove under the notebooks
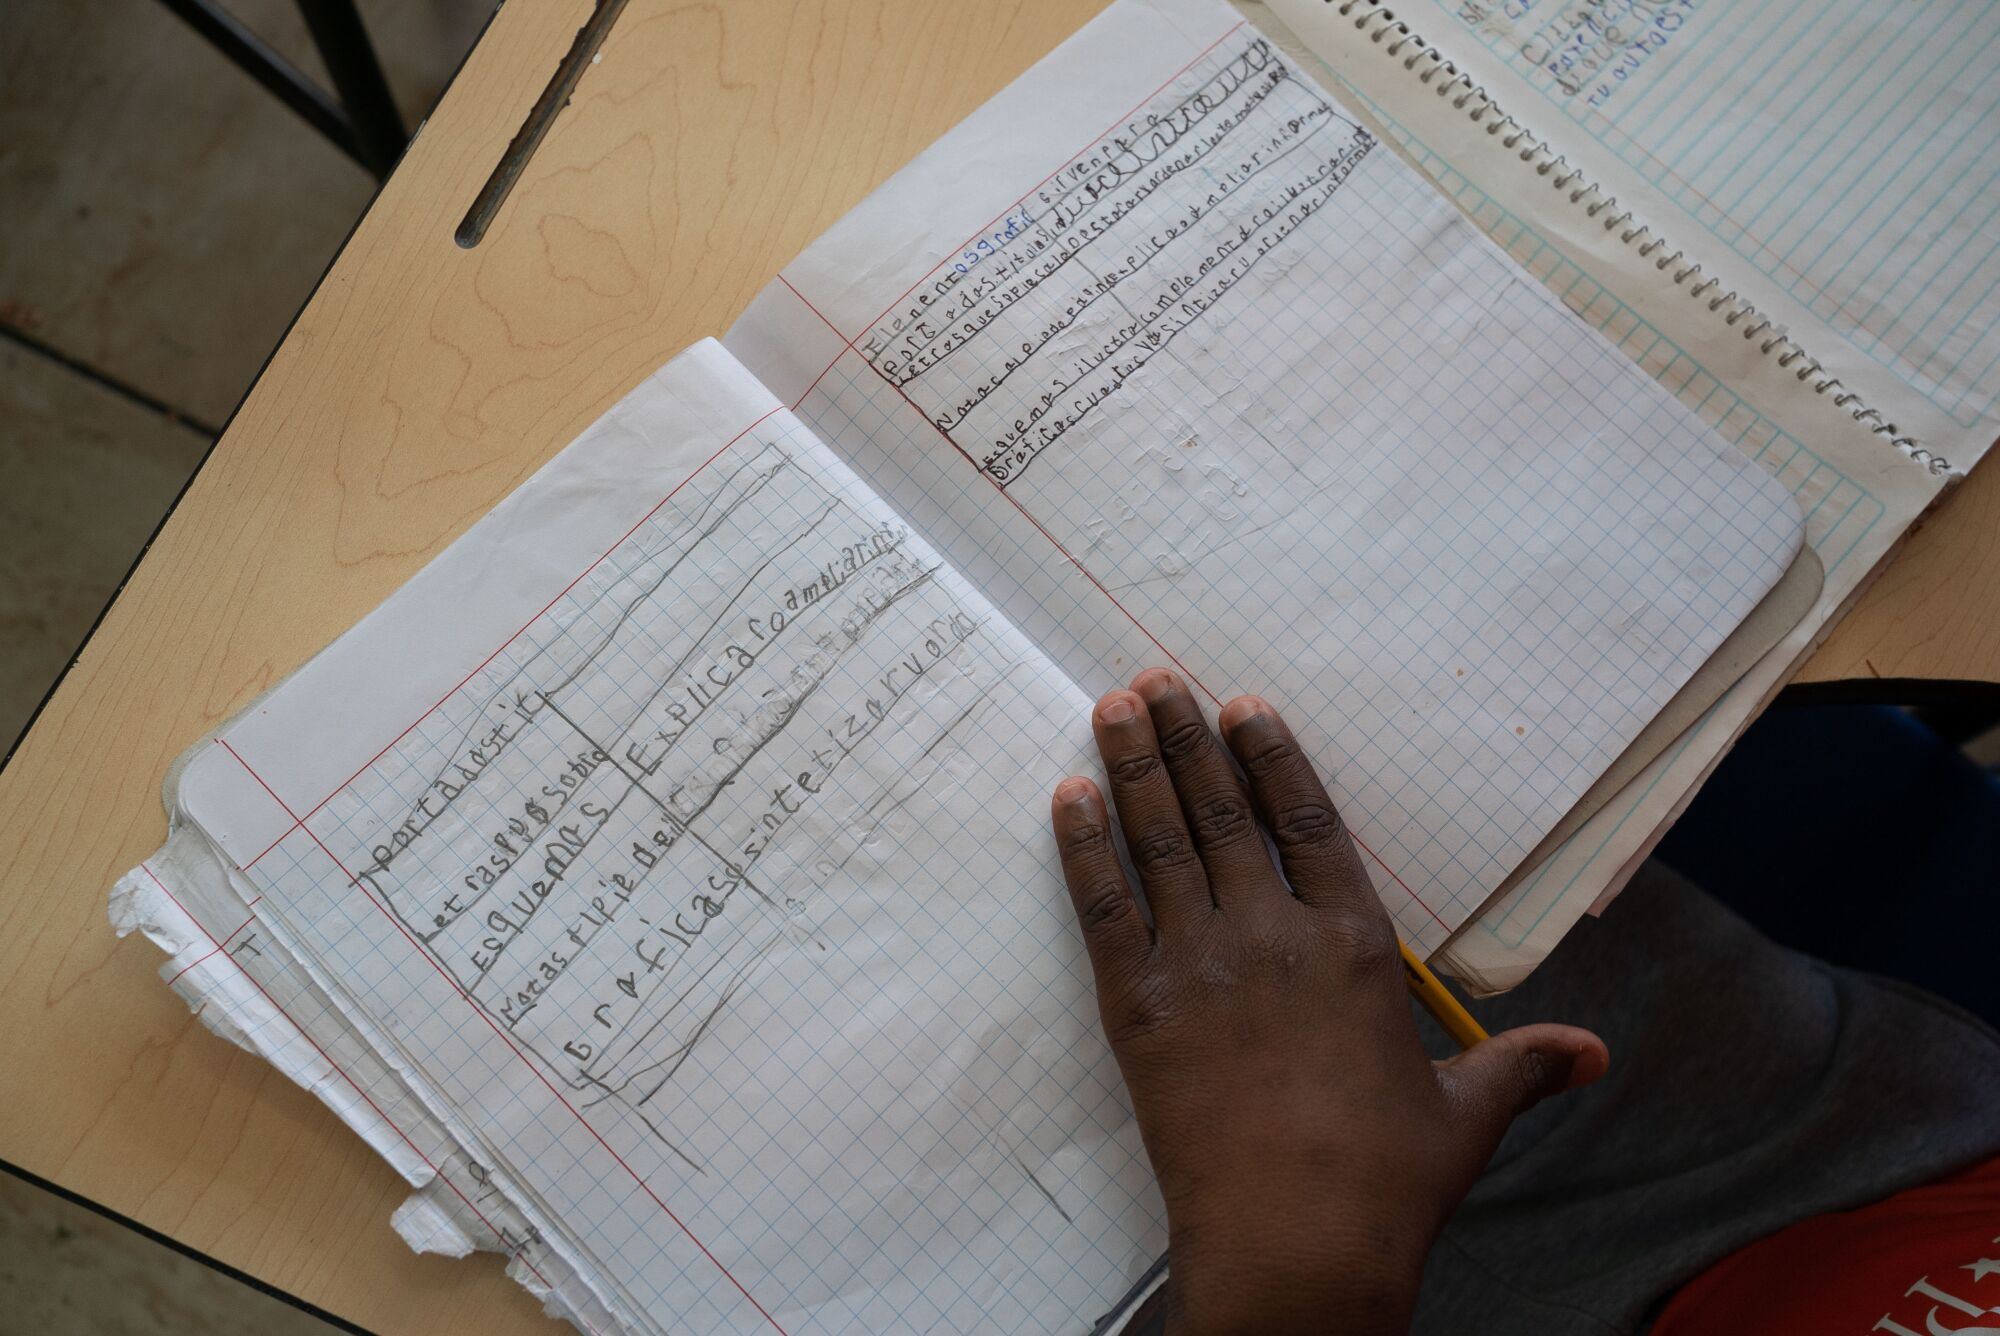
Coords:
pixel 423 385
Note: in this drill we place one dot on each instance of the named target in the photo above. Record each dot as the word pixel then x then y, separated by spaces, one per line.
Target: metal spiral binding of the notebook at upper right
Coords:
pixel 1449 81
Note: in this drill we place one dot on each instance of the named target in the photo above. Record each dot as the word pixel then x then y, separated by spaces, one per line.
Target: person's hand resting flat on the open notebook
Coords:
pixel 1307 1149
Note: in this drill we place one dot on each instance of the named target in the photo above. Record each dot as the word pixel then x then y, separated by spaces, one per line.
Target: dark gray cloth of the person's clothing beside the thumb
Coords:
pixel 1751 1087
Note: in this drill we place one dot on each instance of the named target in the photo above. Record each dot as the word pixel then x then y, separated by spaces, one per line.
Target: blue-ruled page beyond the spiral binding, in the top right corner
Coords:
pixel 1833 161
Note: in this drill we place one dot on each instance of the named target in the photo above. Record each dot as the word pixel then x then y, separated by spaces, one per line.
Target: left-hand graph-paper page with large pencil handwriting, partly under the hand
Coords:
pixel 713 909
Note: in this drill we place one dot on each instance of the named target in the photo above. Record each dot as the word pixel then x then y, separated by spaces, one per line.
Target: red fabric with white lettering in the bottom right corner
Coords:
pixel 1923 1263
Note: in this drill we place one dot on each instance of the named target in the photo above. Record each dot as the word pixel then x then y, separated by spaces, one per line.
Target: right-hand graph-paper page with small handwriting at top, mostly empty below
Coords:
pixel 1185 369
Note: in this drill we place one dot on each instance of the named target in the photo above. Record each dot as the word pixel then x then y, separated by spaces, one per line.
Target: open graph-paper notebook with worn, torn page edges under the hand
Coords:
pixel 661 879
